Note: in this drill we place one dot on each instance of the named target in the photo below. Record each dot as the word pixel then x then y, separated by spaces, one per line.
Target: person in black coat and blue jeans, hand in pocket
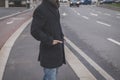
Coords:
pixel 47 29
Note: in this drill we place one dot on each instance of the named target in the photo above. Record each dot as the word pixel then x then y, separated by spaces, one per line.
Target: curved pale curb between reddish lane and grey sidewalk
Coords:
pixel 5 50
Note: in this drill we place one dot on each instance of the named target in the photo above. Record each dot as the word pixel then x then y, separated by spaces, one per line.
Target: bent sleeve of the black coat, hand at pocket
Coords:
pixel 38 23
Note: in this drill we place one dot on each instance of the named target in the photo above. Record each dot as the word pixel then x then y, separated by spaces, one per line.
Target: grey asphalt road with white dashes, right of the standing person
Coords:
pixel 96 31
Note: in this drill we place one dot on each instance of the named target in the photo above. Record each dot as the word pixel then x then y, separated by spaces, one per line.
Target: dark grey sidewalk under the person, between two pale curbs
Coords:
pixel 22 63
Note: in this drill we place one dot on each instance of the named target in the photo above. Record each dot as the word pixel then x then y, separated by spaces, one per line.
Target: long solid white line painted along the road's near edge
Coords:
pixel 91 62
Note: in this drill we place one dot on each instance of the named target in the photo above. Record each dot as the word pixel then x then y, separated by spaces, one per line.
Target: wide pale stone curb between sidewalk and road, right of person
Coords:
pixel 78 67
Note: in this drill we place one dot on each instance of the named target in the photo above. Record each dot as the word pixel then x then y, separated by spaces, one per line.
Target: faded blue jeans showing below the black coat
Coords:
pixel 50 74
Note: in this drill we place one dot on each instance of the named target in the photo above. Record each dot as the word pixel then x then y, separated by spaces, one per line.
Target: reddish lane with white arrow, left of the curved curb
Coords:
pixel 11 24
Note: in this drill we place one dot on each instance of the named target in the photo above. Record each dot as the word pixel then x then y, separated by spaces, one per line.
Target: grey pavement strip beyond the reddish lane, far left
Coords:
pixel 11 10
